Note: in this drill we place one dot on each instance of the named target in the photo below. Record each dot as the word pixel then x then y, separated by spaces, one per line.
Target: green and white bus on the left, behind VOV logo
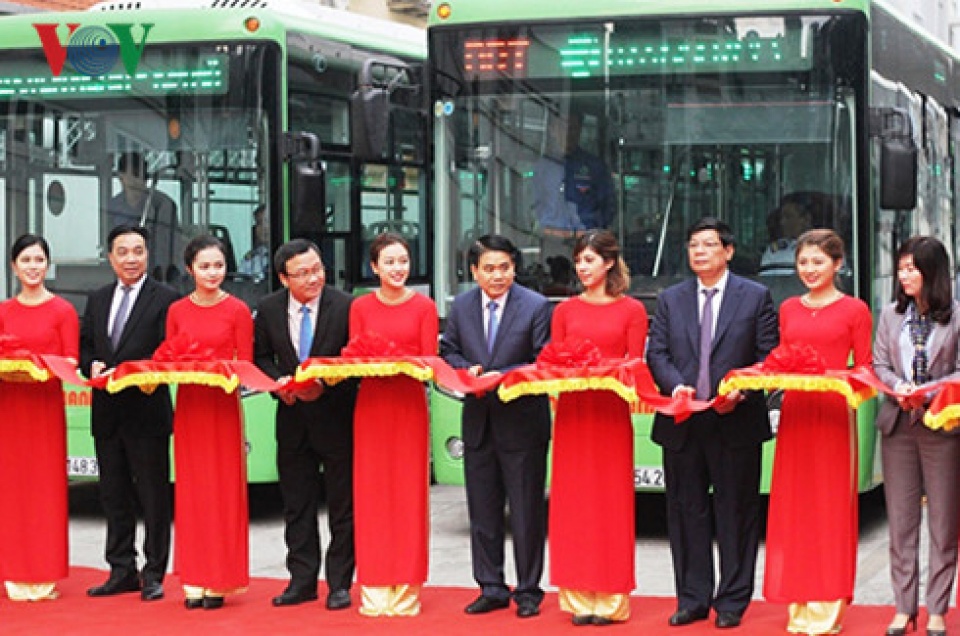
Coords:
pixel 259 121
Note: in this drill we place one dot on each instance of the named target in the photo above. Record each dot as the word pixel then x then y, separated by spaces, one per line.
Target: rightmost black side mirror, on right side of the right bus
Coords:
pixel 898 158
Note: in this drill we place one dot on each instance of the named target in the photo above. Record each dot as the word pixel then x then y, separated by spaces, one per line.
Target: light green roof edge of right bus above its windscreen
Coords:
pixel 470 11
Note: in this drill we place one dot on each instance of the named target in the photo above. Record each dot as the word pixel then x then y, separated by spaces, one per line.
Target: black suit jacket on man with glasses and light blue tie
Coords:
pixel 276 356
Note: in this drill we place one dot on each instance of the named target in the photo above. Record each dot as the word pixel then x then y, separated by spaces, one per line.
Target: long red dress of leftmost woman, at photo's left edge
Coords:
pixel 33 449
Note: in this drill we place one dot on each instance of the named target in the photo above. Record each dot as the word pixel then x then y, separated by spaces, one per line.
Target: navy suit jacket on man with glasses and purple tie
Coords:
pixel 746 331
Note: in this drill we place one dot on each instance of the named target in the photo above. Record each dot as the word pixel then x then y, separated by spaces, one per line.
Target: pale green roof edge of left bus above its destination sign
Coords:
pixel 208 20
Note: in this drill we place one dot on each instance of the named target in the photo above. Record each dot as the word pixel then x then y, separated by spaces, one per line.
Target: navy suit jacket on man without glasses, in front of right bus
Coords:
pixel 524 329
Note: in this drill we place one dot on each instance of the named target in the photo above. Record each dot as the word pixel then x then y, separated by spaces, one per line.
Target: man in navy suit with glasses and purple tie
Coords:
pixel 702 329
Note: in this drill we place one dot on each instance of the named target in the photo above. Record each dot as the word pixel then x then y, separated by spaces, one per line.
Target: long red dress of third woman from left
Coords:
pixel 391 463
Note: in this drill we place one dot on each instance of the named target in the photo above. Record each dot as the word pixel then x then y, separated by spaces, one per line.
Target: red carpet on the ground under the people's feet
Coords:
pixel 251 613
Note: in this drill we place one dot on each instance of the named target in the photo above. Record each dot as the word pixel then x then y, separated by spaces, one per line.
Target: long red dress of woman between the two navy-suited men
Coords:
pixel 592 532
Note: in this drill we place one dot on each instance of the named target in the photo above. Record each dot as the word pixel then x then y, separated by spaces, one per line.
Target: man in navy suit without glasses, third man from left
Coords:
pixel 489 330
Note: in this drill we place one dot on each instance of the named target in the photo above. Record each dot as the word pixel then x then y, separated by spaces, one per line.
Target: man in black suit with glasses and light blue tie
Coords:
pixel 314 425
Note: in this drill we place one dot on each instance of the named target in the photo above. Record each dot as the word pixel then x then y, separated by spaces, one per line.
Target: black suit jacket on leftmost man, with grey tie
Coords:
pixel 140 414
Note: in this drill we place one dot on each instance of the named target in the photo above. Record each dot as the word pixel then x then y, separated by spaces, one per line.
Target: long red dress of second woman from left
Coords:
pixel 211 515
